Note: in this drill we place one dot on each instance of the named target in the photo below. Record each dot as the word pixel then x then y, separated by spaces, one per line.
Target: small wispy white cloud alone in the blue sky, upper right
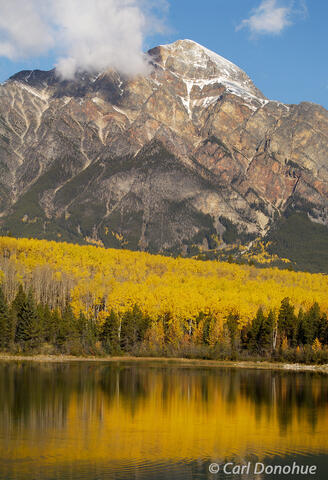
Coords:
pixel 271 17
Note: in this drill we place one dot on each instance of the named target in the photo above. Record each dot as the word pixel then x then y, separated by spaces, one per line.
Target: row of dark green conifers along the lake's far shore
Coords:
pixel 30 327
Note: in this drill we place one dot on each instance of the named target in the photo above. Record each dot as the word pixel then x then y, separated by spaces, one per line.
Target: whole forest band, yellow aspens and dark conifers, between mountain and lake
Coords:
pixel 58 298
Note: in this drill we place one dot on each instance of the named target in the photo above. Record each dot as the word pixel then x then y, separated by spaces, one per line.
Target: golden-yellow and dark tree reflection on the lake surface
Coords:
pixel 111 414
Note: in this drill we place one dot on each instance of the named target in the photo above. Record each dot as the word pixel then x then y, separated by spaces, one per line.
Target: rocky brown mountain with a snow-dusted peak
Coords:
pixel 190 158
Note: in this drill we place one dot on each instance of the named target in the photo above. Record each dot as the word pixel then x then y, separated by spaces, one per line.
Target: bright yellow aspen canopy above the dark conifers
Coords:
pixel 119 279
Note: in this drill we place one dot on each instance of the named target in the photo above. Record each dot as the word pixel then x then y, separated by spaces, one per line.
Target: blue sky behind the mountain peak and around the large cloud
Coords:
pixel 281 44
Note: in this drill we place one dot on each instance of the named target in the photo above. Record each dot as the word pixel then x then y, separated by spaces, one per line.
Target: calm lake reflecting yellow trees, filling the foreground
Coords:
pixel 145 421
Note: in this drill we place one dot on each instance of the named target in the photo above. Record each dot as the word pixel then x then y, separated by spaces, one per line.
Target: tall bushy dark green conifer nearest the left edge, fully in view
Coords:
pixel 28 331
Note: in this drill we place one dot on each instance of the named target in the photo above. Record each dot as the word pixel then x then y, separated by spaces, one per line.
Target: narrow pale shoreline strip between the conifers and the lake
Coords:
pixel 182 362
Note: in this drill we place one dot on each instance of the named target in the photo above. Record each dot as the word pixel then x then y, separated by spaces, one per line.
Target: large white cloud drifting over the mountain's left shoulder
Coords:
pixel 86 35
